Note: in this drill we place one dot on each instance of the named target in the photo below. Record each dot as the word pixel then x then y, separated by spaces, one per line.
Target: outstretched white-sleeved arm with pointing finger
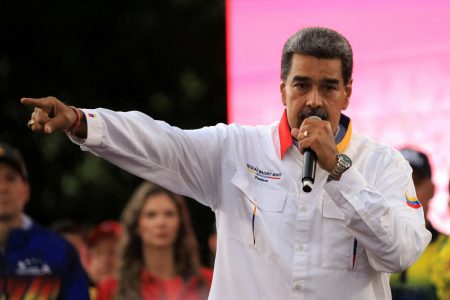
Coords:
pixel 187 162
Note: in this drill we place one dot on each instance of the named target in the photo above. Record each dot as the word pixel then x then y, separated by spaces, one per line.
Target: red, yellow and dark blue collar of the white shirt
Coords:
pixel 343 135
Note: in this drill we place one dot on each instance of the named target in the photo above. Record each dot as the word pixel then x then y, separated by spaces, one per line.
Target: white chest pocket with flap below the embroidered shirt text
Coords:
pixel 259 212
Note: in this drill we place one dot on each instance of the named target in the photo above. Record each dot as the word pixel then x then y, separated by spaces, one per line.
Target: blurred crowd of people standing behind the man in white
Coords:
pixel 152 251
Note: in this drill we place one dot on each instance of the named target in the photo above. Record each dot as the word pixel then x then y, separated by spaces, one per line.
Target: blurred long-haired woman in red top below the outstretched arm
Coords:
pixel 159 257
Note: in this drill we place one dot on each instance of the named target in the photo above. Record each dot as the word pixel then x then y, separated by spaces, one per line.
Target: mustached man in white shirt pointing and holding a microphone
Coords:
pixel 360 222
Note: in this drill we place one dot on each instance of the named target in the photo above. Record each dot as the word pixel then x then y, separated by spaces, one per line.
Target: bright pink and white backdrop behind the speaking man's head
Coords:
pixel 401 86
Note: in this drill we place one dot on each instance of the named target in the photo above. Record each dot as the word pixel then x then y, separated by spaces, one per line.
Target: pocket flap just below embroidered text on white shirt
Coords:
pixel 264 198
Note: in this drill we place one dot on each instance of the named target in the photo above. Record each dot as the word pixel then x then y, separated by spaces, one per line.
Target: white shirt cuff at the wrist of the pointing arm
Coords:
pixel 94 129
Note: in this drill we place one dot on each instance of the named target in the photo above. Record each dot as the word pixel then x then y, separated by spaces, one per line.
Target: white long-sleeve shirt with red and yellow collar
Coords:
pixel 340 241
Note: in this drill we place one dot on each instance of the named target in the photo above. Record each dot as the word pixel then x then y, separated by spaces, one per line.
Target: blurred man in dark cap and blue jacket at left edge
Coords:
pixel 35 262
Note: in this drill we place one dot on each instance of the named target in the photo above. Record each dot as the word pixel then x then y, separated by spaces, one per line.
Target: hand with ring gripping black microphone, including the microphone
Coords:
pixel 316 142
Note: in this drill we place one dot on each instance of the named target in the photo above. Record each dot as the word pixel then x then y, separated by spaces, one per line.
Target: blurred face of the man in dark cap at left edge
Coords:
pixel 14 193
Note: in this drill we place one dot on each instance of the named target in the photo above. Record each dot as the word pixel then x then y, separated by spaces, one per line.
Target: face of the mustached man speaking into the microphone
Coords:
pixel 315 87
